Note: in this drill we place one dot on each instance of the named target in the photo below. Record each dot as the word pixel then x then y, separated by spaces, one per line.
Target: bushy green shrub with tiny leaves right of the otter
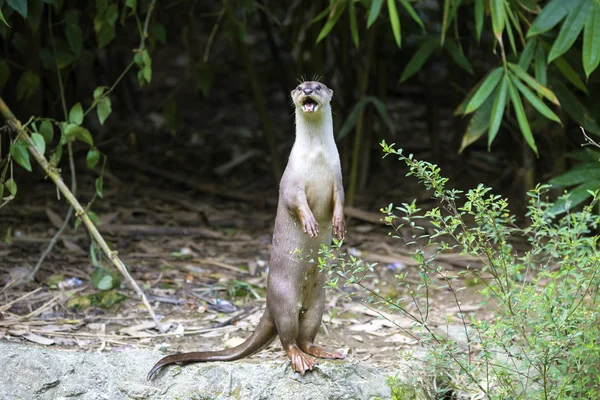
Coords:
pixel 543 341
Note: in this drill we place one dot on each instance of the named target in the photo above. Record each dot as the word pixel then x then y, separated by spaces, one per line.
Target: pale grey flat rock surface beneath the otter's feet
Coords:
pixel 32 372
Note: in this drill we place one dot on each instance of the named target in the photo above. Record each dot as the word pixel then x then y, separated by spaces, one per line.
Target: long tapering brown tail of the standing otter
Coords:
pixel 263 335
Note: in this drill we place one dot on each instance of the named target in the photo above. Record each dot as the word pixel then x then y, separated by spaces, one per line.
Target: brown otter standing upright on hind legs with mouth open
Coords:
pixel 310 194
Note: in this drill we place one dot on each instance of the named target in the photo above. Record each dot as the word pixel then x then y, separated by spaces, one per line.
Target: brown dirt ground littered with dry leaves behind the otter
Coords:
pixel 202 262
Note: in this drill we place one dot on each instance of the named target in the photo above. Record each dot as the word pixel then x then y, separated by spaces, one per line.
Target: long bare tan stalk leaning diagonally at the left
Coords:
pixel 112 255
